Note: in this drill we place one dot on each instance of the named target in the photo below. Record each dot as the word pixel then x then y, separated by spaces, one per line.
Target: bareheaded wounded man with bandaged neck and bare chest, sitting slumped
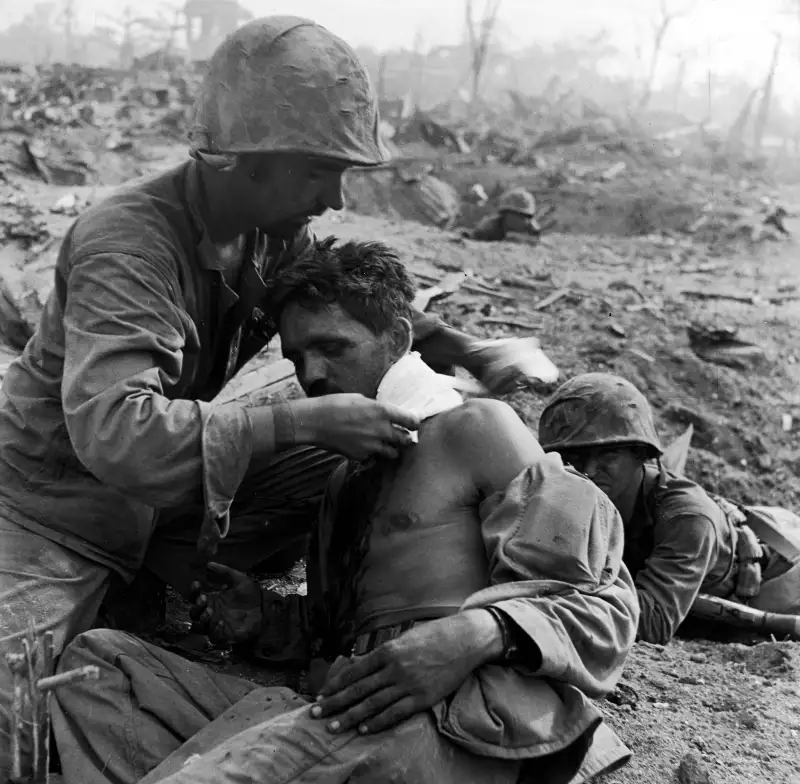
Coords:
pixel 470 595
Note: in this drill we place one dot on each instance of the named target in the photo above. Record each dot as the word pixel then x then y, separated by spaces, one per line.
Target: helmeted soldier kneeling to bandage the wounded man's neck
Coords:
pixel 111 456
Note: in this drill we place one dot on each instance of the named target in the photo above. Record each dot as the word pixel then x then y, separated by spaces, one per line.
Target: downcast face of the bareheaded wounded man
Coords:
pixel 332 352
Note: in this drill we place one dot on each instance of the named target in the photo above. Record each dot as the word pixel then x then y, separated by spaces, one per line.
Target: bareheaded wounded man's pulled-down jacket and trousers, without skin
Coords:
pixel 553 545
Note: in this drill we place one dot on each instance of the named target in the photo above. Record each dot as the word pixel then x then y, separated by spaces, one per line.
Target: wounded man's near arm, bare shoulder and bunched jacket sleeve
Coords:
pixel 555 552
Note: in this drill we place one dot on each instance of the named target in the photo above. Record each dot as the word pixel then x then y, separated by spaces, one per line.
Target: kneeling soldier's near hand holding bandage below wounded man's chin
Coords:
pixel 354 426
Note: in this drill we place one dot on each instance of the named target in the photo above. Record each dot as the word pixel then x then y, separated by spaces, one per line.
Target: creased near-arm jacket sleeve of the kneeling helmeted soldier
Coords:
pixel 124 341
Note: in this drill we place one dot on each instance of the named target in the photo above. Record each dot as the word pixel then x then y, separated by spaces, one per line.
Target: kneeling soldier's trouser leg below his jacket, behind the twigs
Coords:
pixel 40 583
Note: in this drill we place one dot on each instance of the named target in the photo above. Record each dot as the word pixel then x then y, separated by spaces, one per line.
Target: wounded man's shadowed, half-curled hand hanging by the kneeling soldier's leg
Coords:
pixel 232 614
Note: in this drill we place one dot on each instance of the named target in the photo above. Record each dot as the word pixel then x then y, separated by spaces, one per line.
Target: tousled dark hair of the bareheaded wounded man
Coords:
pixel 366 279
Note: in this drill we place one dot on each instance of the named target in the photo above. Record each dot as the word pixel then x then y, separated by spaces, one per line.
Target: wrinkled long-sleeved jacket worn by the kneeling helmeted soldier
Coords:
pixel 106 416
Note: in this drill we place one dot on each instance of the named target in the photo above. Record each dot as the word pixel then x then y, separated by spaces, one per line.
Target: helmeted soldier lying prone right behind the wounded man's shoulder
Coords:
pixel 679 539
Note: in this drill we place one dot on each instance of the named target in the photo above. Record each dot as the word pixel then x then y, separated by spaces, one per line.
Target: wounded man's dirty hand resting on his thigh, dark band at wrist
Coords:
pixel 409 674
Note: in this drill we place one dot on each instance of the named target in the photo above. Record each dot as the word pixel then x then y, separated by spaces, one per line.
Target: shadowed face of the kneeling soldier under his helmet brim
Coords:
pixel 283 192
